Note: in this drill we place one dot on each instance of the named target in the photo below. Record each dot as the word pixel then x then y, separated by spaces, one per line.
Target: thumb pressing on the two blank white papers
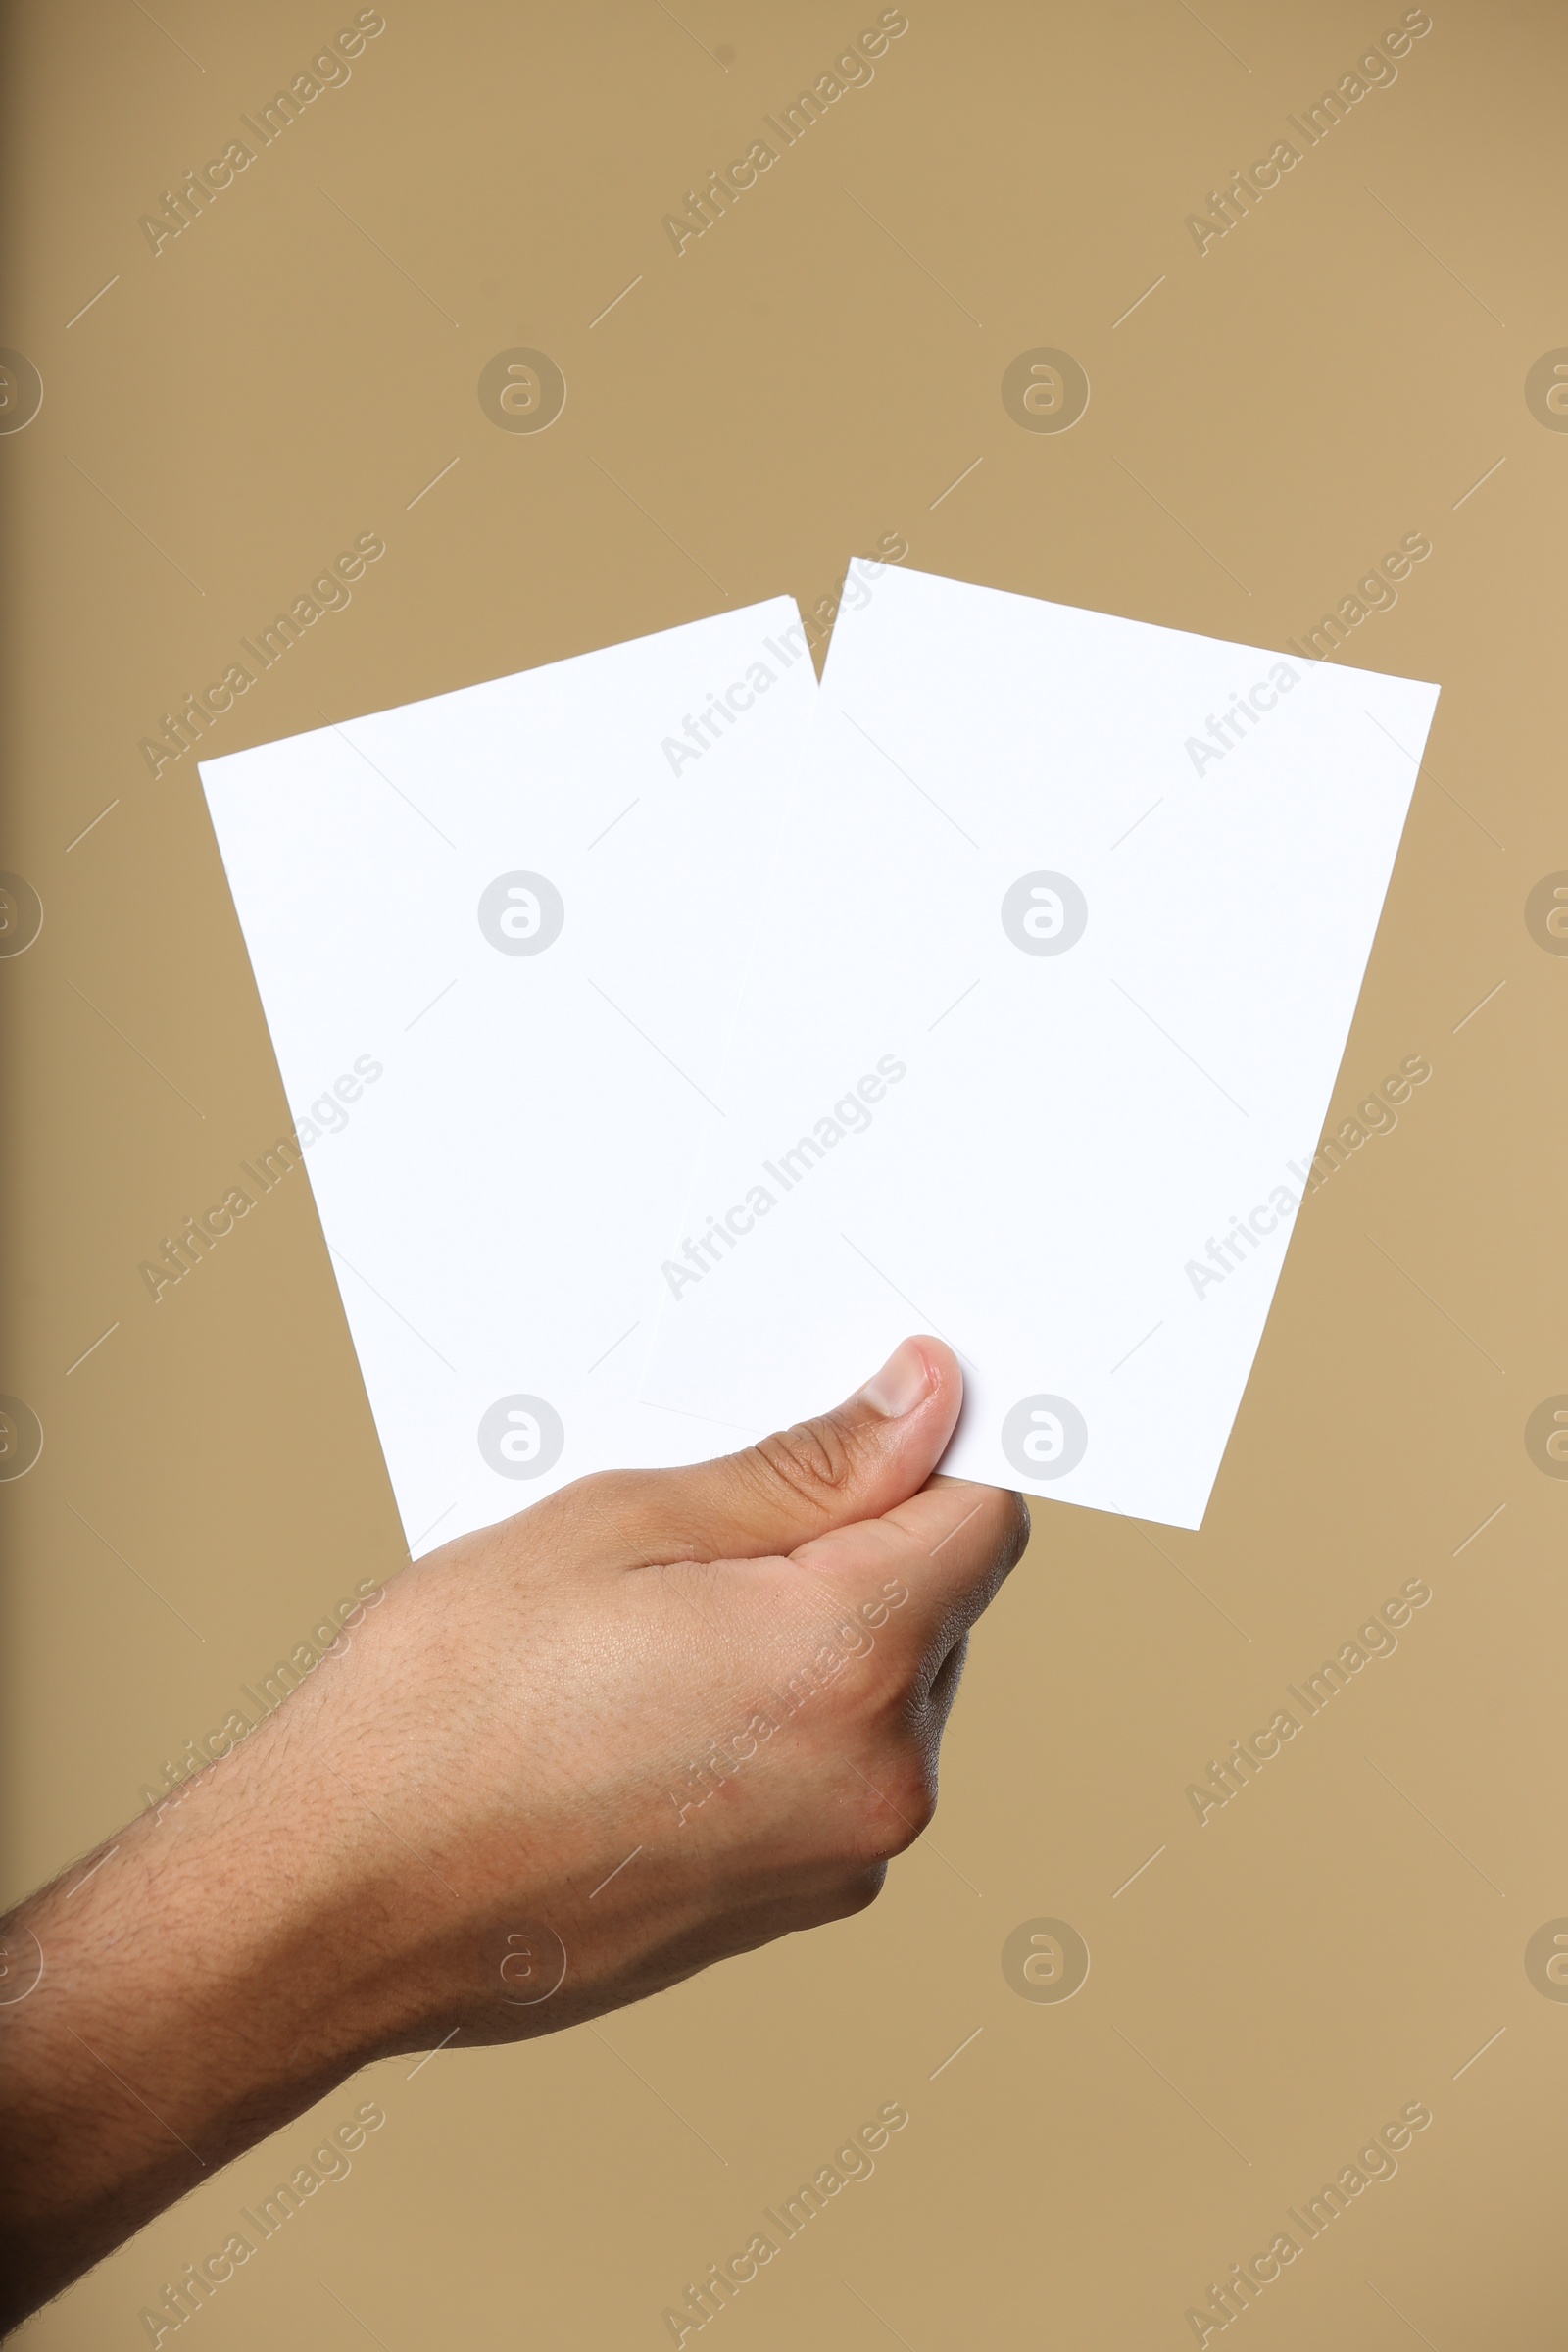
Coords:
pixel 857 1462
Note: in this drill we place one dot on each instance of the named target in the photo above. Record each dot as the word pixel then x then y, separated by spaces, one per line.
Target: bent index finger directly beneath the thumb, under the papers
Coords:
pixel 949 1546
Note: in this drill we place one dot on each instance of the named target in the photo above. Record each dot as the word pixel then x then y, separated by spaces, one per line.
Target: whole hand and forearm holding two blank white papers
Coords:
pixel 431 1838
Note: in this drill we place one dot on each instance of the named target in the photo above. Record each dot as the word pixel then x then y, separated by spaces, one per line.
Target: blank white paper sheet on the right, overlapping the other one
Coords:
pixel 1047 998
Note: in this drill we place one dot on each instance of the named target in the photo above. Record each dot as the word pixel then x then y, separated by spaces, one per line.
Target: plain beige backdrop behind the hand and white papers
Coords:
pixel 1264 427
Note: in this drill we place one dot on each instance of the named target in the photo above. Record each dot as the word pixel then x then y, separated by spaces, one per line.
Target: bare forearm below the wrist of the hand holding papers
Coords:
pixel 189 1996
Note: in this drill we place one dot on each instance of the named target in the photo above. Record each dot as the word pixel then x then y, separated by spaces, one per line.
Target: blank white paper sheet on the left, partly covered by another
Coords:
pixel 525 909
